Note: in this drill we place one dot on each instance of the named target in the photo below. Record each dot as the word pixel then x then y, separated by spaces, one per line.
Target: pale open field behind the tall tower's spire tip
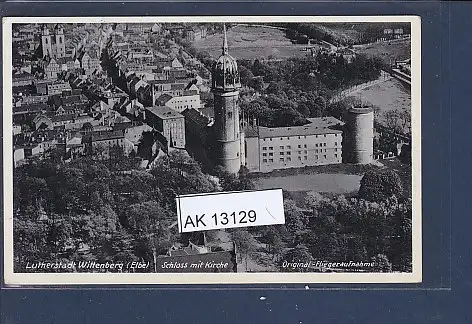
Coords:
pixel 250 42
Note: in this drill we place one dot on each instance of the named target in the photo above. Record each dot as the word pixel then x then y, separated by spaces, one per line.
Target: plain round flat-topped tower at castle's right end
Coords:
pixel 358 143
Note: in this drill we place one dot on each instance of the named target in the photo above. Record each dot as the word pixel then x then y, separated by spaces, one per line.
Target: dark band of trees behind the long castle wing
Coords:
pixel 299 88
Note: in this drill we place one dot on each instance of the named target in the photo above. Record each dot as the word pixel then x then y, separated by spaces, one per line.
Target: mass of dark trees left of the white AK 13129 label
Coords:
pixel 90 209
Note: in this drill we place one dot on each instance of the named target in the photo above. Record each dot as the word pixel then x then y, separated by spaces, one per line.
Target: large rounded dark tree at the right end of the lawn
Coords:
pixel 380 184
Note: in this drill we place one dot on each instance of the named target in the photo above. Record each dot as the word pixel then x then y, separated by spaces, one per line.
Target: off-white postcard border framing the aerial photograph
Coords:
pixel 20 279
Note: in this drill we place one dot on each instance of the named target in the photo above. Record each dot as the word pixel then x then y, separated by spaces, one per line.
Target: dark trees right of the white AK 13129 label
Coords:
pixel 374 226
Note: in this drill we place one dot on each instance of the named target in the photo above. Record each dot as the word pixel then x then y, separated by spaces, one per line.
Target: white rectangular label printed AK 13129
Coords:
pixel 203 212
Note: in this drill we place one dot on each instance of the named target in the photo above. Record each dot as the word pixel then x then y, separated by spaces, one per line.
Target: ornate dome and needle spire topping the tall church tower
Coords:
pixel 225 74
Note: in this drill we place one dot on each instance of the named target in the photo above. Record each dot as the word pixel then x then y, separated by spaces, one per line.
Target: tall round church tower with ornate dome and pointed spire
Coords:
pixel 225 88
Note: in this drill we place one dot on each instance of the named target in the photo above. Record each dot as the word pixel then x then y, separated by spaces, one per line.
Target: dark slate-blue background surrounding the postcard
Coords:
pixel 446 134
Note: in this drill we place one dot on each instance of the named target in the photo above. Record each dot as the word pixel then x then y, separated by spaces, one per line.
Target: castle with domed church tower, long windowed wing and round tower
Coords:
pixel 321 141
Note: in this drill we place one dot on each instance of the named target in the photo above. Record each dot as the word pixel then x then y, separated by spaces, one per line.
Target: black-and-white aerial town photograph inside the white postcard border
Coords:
pixel 113 121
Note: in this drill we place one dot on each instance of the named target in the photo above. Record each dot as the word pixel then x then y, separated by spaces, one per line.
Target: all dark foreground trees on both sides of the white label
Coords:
pixel 89 210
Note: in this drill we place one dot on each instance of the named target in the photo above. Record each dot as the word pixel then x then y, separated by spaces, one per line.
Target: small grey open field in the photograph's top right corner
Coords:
pixel 398 49
